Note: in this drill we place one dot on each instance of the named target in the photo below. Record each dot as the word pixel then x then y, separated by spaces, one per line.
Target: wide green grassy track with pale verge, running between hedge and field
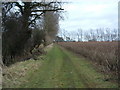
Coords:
pixel 59 69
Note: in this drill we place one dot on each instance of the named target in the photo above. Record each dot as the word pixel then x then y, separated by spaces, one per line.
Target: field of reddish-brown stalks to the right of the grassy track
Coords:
pixel 103 54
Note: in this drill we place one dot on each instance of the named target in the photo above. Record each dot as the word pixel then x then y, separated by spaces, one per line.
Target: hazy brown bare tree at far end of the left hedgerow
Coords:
pixel 51 26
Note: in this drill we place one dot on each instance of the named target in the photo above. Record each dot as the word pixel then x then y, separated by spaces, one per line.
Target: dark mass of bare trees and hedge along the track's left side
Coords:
pixel 25 25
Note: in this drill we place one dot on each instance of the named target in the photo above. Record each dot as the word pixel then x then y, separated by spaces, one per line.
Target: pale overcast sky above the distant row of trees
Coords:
pixel 90 14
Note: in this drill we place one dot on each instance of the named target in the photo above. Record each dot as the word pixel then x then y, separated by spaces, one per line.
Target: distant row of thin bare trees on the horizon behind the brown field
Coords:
pixel 90 35
